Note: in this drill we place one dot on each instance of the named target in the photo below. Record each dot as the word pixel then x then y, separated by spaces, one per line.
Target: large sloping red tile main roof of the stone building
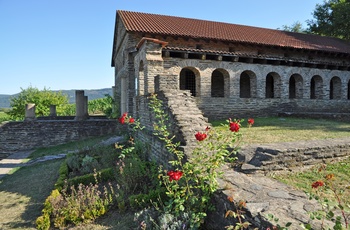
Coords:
pixel 202 29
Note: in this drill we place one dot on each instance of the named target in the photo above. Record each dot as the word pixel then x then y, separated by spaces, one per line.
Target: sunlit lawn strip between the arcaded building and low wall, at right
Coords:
pixel 276 129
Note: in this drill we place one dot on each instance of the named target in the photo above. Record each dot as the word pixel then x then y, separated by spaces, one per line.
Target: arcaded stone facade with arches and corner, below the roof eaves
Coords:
pixel 226 89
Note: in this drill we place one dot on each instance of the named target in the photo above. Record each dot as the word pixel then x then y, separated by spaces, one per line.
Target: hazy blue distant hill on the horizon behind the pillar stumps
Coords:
pixel 91 93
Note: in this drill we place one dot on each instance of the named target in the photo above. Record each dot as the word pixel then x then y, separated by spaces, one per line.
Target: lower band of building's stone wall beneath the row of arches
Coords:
pixel 223 108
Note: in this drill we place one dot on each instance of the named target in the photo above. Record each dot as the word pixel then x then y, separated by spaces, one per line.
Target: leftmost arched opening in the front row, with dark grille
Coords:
pixel 189 80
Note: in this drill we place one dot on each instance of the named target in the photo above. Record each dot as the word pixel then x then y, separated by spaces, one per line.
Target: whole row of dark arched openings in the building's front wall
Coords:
pixel 273 85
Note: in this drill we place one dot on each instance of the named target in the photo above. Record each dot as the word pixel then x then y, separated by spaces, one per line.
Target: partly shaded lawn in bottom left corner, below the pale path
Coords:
pixel 24 192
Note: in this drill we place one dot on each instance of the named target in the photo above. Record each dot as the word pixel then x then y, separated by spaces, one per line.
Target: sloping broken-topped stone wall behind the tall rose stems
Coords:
pixel 185 120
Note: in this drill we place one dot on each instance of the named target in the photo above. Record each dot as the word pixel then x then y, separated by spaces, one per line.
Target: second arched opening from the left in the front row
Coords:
pixel 220 81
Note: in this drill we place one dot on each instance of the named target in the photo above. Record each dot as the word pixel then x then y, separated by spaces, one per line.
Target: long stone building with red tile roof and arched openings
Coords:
pixel 231 70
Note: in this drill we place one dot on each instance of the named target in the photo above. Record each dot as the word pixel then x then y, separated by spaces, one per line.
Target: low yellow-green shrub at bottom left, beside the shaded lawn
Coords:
pixel 78 204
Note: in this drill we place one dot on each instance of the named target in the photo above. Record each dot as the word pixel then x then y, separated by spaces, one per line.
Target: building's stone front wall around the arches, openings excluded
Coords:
pixel 232 105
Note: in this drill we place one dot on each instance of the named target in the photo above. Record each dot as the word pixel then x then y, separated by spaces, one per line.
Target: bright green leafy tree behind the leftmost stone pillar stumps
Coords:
pixel 42 100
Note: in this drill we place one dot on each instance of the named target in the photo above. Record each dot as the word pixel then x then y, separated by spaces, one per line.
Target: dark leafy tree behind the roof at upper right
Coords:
pixel 332 18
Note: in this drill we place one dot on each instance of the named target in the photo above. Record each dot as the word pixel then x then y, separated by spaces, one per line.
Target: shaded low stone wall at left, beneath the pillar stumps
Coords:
pixel 18 136
